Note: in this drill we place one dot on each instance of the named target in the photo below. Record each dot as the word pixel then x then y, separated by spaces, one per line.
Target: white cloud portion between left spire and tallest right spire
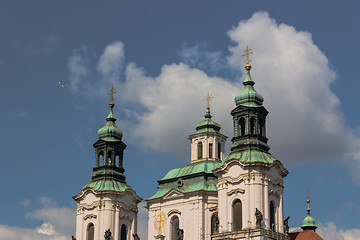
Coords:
pixel 173 105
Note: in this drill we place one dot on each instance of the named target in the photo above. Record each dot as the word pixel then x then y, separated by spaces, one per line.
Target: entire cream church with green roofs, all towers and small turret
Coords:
pixel 214 197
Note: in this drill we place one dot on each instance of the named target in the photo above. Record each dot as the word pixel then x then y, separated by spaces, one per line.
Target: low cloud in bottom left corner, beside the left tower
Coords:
pixel 58 223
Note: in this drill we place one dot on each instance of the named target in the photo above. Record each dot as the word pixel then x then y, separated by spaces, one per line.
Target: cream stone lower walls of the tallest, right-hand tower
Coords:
pixel 256 187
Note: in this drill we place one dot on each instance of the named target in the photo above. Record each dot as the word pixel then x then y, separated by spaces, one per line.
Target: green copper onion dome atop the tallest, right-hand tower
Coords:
pixel 248 97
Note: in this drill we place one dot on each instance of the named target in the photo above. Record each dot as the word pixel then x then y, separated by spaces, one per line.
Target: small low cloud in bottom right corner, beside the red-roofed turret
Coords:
pixel 329 231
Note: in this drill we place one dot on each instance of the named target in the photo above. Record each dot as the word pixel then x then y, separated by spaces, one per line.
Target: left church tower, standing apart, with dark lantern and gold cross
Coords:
pixel 107 206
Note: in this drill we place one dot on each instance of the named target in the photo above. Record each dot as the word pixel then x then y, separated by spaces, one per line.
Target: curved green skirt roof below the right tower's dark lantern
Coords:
pixel 250 156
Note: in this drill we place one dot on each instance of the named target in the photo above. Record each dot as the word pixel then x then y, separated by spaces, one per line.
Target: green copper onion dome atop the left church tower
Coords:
pixel 110 132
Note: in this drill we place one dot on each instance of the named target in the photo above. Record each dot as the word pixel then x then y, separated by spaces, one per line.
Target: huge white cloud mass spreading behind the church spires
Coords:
pixel 305 121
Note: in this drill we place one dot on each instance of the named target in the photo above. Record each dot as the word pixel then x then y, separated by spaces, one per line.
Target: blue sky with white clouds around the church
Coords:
pixel 163 57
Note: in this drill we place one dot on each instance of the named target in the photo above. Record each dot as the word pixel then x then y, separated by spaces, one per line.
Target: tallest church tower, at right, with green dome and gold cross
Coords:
pixel 250 180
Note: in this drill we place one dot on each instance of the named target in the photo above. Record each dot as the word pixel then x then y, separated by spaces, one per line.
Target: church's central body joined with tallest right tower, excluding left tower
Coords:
pixel 237 196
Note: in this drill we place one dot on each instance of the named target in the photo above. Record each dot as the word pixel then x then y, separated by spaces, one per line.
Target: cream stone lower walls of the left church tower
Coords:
pixel 106 211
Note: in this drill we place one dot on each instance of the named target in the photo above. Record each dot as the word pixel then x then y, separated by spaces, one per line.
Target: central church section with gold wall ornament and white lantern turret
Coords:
pixel 184 207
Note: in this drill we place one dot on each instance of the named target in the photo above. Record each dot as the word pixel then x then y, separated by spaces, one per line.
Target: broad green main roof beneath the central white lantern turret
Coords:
pixel 195 177
